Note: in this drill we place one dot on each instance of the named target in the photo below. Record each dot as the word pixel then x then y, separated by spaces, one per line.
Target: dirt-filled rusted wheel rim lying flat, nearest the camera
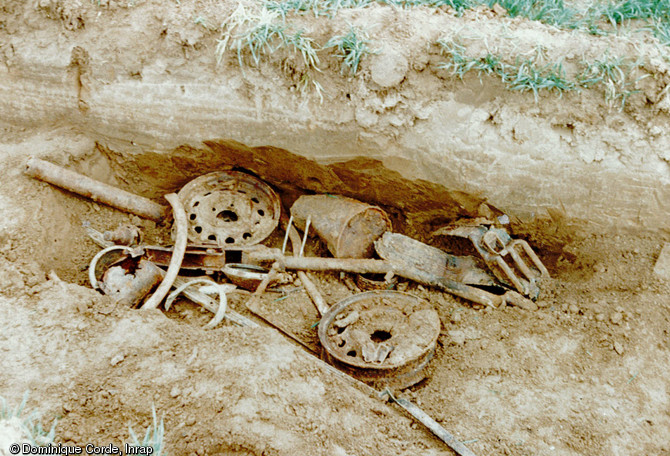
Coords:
pixel 384 338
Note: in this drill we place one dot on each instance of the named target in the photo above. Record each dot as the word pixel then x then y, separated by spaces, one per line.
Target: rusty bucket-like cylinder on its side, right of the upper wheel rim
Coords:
pixel 348 226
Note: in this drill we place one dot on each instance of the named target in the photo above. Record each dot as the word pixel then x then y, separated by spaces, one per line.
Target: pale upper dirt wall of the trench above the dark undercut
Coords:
pixel 145 79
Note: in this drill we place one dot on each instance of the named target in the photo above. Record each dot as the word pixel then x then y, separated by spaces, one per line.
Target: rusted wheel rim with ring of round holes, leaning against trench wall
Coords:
pixel 229 208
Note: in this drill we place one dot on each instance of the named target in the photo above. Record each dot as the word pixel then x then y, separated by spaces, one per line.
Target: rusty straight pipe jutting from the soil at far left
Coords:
pixel 95 190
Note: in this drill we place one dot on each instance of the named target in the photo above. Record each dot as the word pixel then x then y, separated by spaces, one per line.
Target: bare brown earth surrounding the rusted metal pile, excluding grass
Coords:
pixel 586 374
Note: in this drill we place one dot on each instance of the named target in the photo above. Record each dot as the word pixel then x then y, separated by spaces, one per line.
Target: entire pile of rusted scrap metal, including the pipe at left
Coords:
pixel 382 337
